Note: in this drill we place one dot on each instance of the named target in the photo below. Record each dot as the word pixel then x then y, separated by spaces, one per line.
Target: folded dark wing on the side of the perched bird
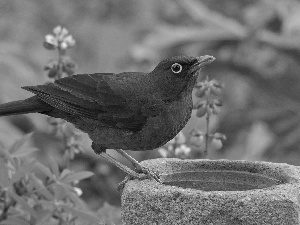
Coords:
pixel 90 96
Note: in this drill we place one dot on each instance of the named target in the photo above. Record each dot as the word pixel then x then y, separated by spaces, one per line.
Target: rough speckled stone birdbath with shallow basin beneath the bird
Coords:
pixel 224 192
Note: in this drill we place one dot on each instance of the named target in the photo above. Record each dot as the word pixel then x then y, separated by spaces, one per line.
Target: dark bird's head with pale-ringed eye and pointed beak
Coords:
pixel 177 74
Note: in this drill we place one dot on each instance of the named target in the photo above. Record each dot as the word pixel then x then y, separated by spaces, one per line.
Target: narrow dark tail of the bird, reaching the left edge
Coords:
pixel 29 105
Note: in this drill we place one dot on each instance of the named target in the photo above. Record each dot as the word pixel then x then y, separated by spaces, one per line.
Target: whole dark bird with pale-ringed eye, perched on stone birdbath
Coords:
pixel 126 111
